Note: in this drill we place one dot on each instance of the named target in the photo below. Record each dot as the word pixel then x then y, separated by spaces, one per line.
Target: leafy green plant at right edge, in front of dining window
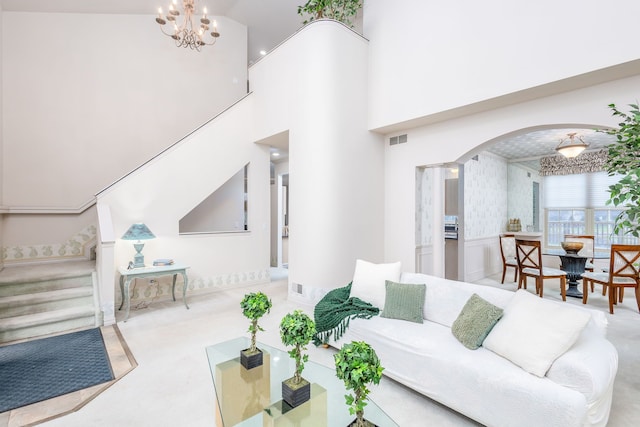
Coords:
pixel 623 159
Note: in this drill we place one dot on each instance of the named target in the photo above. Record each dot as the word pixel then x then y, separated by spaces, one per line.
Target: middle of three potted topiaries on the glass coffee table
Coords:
pixel 297 329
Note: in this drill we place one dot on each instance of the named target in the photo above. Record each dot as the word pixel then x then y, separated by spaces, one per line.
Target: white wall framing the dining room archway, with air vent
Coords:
pixel 461 138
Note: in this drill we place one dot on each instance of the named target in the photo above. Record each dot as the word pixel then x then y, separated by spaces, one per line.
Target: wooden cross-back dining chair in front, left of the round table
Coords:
pixel 529 257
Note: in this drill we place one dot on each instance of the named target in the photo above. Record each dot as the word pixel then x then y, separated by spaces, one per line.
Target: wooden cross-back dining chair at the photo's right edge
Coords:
pixel 623 273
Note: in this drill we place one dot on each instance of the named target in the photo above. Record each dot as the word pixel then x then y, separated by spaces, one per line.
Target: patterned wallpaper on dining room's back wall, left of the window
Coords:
pixel 521 194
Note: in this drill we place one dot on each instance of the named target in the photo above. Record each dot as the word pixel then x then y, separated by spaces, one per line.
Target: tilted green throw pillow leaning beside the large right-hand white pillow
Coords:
pixel 475 321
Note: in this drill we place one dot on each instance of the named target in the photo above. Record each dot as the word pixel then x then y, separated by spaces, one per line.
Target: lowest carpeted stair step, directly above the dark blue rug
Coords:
pixel 32 325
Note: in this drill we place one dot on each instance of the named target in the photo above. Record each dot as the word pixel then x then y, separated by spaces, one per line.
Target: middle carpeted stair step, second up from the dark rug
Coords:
pixel 23 304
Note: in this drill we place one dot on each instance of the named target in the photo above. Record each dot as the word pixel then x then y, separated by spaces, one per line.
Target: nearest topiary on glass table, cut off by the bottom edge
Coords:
pixel 357 364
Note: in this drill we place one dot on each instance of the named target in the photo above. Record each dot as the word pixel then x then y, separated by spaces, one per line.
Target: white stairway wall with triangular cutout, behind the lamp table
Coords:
pixel 160 199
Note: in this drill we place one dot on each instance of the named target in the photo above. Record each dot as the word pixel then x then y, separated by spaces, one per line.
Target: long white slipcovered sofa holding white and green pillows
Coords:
pixel 575 391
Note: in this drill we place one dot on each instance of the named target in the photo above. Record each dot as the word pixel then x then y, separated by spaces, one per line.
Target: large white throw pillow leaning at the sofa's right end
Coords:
pixel 534 332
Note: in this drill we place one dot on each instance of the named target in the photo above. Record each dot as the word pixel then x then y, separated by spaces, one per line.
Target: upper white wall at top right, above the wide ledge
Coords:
pixel 428 58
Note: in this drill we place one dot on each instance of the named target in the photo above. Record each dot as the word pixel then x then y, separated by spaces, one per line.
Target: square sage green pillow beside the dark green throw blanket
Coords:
pixel 403 301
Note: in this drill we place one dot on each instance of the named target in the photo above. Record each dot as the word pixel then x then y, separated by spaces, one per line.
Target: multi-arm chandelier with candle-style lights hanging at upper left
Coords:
pixel 184 34
